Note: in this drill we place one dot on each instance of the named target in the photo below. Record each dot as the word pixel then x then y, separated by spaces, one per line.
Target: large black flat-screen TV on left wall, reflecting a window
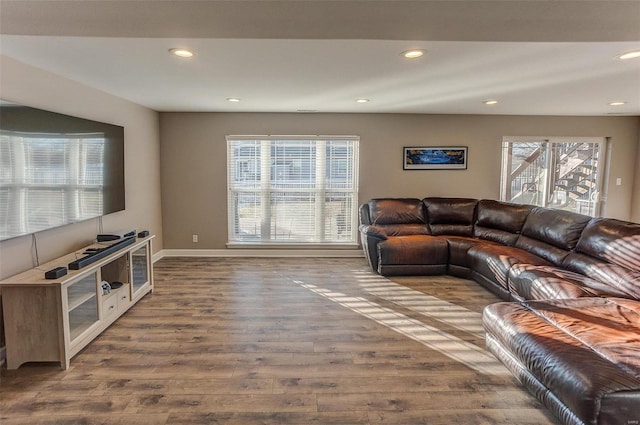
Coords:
pixel 56 169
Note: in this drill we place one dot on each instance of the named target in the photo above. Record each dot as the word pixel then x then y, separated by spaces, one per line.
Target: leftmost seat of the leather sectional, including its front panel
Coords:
pixel 415 254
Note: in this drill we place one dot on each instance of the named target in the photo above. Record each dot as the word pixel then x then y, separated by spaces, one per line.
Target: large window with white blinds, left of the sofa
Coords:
pixel 299 190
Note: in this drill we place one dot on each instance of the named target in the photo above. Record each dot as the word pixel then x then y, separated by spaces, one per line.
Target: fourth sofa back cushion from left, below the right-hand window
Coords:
pixel 551 234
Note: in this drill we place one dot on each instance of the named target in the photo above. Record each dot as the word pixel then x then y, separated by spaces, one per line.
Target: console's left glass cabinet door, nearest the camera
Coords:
pixel 82 301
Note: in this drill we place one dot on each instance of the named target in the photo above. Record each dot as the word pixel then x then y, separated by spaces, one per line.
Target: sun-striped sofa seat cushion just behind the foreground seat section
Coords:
pixel 529 282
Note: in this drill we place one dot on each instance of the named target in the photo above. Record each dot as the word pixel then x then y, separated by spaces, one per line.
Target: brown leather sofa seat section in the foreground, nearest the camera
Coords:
pixel 584 351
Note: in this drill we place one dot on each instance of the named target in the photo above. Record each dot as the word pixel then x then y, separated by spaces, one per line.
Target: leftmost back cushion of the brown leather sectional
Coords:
pixel 398 216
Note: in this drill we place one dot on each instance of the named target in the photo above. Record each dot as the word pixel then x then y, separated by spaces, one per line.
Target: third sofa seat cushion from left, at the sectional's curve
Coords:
pixel 492 262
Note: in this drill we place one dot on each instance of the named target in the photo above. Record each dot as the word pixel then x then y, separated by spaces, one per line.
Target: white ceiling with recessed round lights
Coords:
pixel 534 57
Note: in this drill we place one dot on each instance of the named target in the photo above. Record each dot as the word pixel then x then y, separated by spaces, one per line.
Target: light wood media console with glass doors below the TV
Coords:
pixel 52 320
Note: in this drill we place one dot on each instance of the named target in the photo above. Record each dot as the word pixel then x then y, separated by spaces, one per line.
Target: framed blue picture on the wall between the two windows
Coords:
pixel 435 158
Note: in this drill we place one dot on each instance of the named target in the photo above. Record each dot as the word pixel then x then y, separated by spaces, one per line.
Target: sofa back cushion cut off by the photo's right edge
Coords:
pixel 609 251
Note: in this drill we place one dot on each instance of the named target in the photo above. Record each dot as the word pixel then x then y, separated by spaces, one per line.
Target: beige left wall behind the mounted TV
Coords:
pixel 33 87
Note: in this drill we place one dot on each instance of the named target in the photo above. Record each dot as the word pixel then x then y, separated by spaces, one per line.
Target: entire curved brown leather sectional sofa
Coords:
pixel 571 331
